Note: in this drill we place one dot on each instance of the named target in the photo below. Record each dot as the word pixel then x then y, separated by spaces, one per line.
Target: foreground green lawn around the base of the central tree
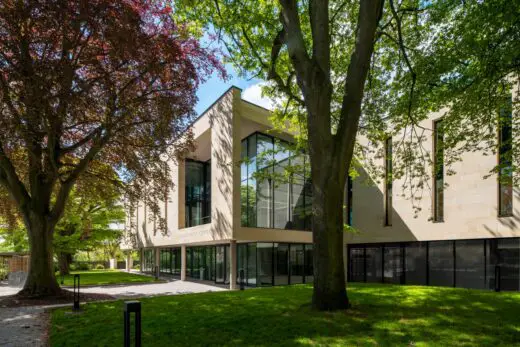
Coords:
pixel 381 315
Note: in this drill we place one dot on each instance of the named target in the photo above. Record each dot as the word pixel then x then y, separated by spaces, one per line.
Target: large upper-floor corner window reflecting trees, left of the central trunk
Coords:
pixel 275 185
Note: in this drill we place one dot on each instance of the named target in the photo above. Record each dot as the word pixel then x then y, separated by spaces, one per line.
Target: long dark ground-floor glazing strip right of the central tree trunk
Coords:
pixel 479 264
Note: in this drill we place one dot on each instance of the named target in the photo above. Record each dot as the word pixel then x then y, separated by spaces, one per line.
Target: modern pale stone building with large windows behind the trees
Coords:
pixel 236 213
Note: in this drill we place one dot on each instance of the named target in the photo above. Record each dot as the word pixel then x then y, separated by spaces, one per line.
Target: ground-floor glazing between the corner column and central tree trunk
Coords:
pixel 272 263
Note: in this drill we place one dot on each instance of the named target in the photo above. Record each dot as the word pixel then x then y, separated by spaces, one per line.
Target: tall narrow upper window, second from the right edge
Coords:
pixel 438 172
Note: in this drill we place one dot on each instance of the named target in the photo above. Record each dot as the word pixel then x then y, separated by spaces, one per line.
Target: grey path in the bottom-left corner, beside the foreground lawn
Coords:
pixel 23 326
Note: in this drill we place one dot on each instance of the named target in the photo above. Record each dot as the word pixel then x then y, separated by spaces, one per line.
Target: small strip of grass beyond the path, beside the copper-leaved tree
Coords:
pixel 101 277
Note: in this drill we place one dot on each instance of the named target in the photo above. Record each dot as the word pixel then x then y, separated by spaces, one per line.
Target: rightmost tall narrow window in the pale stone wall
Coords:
pixel 505 161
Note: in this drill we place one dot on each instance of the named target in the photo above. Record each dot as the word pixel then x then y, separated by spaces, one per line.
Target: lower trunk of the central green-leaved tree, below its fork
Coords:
pixel 327 227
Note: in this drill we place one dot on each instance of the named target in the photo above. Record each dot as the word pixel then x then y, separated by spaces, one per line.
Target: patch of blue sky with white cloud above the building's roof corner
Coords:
pixel 215 87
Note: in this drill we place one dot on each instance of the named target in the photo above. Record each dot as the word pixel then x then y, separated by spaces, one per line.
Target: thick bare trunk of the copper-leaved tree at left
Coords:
pixel 41 281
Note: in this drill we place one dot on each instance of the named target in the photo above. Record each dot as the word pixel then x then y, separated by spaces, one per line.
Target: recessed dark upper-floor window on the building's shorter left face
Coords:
pixel 198 193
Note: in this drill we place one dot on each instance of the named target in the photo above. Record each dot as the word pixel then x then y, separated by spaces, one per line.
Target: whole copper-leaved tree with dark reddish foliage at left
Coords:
pixel 84 80
